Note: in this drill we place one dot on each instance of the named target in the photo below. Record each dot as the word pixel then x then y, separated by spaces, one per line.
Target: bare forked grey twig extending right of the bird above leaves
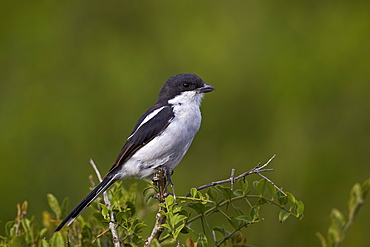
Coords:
pixel 258 169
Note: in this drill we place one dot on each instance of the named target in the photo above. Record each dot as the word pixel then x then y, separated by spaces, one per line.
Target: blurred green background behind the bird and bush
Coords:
pixel 292 79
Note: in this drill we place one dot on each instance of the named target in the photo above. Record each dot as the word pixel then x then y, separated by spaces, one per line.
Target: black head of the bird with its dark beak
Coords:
pixel 177 84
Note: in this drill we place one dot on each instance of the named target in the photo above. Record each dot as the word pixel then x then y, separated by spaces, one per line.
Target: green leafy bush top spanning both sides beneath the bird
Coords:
pixel 240 208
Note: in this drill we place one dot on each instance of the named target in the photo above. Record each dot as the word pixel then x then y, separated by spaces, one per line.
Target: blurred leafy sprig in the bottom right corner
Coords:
pixel 338 225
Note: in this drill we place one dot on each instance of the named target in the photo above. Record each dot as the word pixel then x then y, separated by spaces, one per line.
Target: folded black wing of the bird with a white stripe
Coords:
pixel 145 130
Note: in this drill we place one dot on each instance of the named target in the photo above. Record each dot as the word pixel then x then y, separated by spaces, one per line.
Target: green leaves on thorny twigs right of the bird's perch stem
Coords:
pixel 239 208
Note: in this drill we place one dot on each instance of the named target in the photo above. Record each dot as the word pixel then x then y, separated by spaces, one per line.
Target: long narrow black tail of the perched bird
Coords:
pixel 103 186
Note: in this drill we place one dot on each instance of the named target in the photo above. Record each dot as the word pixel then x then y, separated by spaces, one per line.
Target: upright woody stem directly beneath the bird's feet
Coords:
pixel 160 180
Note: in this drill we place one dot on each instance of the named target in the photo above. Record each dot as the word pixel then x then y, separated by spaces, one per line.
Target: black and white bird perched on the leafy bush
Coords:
pixel 160 138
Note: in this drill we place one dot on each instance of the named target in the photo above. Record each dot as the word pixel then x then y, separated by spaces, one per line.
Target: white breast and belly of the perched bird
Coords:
pixel 170 146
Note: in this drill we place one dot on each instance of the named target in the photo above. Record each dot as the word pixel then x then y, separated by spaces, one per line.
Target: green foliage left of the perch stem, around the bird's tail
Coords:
pixel 25 231
